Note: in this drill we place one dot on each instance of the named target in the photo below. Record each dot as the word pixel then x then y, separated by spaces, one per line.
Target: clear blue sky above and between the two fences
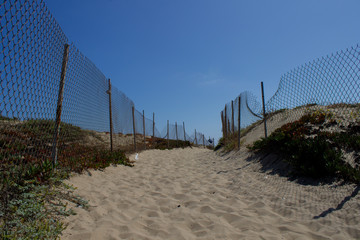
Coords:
pixel 184 59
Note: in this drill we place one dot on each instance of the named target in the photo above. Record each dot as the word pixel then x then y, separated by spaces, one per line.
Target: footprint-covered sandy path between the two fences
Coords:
pixel 196 194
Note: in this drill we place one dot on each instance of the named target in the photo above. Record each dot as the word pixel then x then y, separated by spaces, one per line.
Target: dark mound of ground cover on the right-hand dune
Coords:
pixel 312 150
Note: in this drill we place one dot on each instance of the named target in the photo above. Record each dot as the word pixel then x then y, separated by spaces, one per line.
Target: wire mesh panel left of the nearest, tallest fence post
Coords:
pixel 32 47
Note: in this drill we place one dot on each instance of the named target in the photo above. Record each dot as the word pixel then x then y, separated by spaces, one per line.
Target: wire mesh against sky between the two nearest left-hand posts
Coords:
pixel 85 102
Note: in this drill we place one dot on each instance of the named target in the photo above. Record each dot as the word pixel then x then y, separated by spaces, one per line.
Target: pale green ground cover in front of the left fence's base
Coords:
pixel 30 209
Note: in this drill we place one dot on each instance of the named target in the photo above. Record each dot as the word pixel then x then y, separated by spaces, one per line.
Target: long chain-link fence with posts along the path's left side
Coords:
pixel 53 98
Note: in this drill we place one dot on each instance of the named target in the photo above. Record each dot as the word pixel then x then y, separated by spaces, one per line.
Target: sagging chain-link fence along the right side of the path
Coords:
pixel 315 110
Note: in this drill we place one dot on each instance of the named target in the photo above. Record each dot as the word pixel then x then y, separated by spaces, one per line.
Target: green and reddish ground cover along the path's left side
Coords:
pixel 32 191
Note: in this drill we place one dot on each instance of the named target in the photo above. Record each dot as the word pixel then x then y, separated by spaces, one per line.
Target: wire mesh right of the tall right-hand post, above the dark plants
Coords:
pixel 328 84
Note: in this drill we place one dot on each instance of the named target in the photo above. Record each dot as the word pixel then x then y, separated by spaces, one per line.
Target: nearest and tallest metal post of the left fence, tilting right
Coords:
pixel 59 105
